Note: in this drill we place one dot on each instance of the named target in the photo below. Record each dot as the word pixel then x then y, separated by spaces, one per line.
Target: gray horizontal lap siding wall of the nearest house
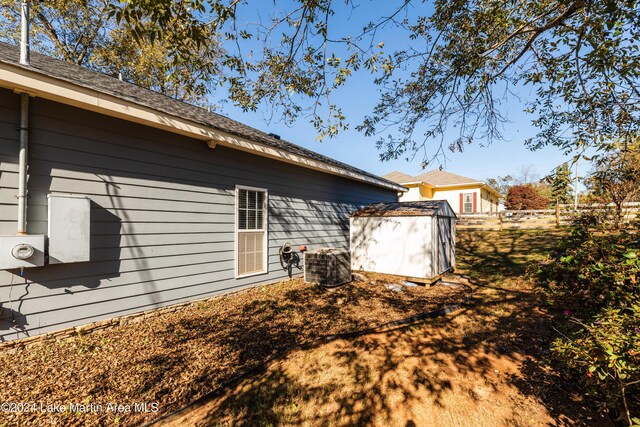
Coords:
pixel 162 215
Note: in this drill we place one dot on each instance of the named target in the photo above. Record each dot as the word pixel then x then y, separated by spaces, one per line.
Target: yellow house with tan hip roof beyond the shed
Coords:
pixel 465 195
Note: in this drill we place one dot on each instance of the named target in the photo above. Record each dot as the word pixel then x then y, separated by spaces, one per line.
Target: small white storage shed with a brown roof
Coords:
pixel 410 239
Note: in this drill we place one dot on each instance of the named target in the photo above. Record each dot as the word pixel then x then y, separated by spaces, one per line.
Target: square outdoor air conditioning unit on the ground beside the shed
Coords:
pixel 327 266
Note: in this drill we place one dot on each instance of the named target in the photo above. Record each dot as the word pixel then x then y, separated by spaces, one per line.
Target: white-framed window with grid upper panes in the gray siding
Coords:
pixel 251 231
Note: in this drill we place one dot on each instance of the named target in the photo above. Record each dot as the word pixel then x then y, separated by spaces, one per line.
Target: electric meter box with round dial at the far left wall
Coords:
pixel 21 251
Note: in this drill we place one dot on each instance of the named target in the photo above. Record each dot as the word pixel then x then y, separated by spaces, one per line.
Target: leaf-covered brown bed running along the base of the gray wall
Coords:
pixel 175 358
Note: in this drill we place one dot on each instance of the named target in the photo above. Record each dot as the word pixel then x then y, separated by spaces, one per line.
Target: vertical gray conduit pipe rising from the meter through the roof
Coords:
pixel 23 156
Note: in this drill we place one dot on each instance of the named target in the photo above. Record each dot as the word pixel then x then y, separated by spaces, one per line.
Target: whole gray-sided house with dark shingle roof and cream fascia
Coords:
pixel 184 203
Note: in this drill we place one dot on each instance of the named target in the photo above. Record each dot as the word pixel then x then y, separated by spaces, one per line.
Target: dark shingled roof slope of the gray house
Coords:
pixel 106 84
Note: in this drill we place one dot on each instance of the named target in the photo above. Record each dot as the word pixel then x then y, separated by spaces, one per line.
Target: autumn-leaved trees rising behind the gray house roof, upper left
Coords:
pixel 166 55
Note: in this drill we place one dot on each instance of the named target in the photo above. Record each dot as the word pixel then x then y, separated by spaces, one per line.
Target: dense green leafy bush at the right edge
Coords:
pixel 593 281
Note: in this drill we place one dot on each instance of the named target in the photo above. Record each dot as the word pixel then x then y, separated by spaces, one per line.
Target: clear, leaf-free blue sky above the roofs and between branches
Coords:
pixel 358 97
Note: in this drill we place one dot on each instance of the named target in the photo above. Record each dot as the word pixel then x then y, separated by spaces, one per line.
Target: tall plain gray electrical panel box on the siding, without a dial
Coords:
pixel 69 228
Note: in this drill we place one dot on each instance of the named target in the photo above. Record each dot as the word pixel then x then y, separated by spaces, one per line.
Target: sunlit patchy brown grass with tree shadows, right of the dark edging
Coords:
pixel 483 366
